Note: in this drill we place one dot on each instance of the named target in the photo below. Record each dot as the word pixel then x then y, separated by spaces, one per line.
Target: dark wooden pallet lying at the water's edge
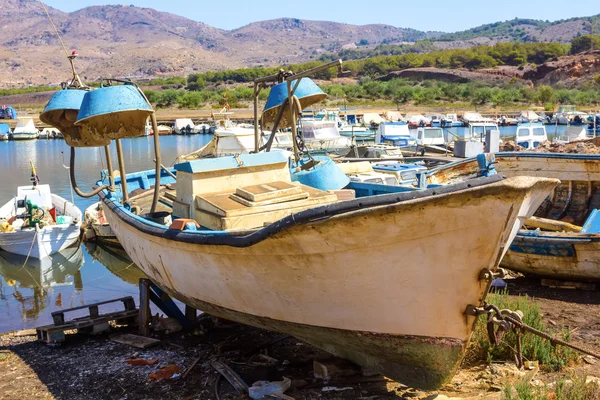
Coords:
pixel 94 323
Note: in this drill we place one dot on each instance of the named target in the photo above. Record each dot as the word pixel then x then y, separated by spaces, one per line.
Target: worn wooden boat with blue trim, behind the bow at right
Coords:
pixel 564 241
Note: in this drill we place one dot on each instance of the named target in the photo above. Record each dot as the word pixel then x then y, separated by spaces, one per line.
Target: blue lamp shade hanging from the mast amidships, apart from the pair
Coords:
pixel 307 92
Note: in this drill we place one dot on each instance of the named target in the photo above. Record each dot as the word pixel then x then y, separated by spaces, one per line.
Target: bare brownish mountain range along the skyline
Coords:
pixel 120 40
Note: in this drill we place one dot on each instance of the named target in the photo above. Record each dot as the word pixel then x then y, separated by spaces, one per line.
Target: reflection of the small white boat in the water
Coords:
pixel 21 273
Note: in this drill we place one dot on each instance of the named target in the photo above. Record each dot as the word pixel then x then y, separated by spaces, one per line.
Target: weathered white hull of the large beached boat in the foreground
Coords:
pixel 386 286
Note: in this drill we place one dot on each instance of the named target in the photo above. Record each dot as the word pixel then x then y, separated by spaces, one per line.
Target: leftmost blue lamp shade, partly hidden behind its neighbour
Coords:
pixel 61 113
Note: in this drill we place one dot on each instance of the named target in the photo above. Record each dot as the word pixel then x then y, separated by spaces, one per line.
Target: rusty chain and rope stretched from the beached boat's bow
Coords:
pixel 501 321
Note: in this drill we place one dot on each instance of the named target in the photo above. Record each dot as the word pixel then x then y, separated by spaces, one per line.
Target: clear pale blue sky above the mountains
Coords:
pixel 440 15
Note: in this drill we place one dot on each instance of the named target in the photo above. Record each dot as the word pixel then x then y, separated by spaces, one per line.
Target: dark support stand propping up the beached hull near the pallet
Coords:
pixel 150 292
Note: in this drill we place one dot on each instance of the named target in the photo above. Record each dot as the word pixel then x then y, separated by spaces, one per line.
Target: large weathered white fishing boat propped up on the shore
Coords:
pixel 263 239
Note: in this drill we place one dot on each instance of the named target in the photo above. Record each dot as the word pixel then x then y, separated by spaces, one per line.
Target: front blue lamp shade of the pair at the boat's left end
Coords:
pixel 113 112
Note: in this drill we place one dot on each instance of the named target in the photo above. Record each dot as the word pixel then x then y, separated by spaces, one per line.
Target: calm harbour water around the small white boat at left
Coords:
pixel 79 275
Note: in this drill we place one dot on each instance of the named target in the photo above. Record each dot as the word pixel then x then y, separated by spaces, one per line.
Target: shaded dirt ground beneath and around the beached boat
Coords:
pixel 88 367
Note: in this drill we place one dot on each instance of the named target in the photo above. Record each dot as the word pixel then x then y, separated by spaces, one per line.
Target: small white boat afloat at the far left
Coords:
pixel 38 223
